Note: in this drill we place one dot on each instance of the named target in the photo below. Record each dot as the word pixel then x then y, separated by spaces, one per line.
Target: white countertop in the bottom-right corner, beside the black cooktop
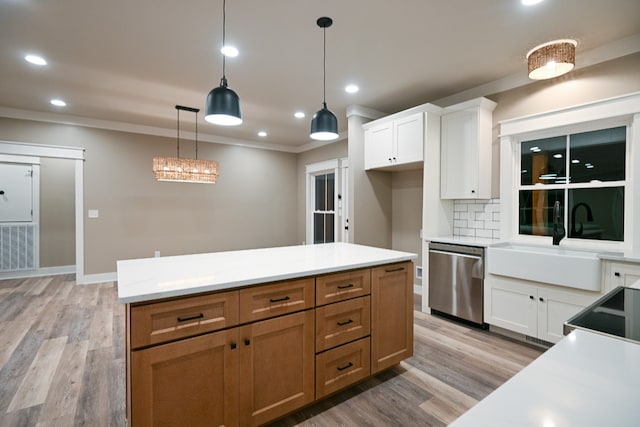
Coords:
pixel 585 380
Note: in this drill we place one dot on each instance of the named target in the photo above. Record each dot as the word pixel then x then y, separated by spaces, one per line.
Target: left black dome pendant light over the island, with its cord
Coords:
pixel 223 104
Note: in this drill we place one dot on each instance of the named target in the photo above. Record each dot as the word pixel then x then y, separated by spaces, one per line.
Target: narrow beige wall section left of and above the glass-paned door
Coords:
pixel 337 150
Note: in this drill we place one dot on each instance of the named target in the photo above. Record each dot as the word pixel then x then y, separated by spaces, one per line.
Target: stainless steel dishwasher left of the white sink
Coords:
pixel 456 280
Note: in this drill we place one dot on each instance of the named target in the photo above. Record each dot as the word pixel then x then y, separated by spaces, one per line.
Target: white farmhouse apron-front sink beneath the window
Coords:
pixel 572 268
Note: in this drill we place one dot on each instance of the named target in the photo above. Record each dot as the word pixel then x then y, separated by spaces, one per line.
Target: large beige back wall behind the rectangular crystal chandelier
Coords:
pixel 253 204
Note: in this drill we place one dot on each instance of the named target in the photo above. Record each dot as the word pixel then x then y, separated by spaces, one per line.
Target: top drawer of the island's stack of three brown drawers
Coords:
pixel 341 286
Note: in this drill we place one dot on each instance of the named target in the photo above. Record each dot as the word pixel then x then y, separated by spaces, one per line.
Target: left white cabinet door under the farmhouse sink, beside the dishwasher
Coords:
pixel 511 305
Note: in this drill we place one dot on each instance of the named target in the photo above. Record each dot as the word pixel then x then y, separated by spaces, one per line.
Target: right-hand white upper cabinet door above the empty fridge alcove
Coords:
pixel 408 138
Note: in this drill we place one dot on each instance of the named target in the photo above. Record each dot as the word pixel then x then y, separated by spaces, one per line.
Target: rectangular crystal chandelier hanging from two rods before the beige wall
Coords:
pixel 176 169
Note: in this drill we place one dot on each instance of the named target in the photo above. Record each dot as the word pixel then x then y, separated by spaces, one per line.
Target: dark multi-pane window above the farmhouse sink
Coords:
pixel 585 172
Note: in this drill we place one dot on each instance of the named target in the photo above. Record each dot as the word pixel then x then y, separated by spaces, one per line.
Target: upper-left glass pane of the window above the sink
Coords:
pixel 543 161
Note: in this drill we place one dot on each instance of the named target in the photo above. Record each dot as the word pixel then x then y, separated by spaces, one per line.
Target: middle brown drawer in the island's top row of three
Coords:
pixel 275 299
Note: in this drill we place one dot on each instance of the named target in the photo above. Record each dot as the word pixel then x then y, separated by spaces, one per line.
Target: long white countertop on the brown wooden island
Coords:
pixel 153 278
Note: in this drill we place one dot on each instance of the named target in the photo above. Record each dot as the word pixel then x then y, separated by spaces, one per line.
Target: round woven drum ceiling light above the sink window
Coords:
pixel 552 59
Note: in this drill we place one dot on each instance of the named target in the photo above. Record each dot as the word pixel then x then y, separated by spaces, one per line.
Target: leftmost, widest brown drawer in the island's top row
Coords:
pixel 160 322
